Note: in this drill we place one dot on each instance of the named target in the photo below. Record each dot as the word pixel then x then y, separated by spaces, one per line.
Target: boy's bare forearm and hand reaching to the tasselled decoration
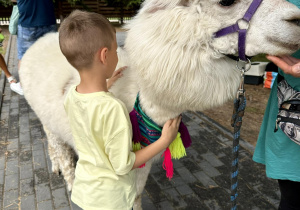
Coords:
pixel 169 133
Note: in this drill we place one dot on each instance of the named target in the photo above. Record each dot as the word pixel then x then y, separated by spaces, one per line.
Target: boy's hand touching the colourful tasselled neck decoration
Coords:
pixel 170 130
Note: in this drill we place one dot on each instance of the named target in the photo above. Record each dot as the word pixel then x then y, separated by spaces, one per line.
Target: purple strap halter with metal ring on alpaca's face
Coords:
pixel 242 31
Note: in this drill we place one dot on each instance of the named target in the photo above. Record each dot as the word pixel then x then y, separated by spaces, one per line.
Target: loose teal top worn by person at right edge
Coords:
pixel 276 151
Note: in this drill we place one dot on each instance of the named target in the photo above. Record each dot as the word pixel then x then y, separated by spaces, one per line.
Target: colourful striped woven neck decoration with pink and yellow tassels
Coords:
pixel 146 131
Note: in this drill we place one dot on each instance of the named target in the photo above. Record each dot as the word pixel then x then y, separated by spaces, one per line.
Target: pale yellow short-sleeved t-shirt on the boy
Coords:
pixel 103 137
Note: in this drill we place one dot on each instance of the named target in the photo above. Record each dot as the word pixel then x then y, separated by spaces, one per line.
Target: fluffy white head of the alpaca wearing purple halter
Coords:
pixel 182 66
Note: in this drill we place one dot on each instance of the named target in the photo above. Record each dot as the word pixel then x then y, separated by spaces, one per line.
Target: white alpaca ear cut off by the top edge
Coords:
pixel 156 5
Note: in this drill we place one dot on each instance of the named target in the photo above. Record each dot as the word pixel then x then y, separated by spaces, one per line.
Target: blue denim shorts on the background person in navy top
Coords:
pixel 27 36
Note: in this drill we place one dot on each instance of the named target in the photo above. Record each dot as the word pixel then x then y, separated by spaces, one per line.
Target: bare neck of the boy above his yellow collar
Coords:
pixel 91 81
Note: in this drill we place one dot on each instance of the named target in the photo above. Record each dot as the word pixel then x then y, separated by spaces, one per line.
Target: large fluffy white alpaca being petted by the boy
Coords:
pixel 174 62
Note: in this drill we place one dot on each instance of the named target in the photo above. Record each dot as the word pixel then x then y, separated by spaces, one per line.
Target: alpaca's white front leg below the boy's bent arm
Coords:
pixel 141 179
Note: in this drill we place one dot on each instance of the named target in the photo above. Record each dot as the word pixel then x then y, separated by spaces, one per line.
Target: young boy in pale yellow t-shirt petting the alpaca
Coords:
pixel 104 176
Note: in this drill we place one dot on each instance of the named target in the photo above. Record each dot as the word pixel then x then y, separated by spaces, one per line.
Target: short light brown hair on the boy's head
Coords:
pixel 82 34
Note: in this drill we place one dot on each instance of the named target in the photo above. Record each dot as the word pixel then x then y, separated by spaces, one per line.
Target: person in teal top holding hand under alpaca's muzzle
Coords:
pixel 279 154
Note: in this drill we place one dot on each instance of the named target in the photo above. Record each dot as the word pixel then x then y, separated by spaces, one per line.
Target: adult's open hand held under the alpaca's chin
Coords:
pixel 288 64
